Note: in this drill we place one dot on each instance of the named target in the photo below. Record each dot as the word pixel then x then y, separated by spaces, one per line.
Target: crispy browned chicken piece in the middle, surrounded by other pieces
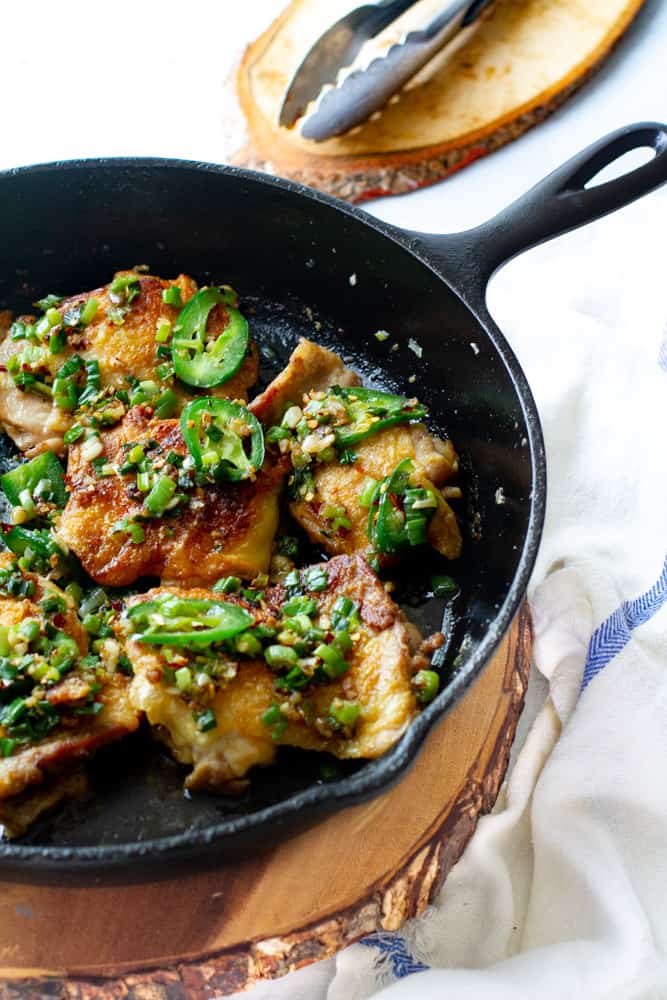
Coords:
pixel 220 530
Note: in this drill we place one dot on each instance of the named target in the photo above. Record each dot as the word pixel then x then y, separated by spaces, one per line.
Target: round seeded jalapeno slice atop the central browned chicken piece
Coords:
pixel 224 438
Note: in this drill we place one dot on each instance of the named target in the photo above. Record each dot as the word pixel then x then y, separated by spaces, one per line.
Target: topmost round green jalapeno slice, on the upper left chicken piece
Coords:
pixel 203 362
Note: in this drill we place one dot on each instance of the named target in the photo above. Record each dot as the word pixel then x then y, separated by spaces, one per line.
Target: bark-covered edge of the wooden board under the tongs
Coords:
pixel 361 178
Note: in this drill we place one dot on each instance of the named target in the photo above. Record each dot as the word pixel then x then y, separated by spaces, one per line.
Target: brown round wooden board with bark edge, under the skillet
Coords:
pixel 367 868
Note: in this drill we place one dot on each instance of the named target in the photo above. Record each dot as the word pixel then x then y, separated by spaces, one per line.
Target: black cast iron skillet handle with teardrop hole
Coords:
pixel 556 205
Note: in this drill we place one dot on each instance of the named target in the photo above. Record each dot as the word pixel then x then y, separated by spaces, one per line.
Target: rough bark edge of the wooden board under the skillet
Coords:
pixel 387 904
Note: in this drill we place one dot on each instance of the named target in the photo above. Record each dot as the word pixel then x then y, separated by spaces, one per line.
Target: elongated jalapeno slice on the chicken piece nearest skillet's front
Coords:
pixel 187 623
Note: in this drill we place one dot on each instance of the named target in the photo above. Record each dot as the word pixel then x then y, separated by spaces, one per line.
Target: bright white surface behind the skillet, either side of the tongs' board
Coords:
pixel 123 78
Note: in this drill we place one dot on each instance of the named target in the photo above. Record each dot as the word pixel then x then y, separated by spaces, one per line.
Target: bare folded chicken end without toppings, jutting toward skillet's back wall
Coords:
pixel 309 367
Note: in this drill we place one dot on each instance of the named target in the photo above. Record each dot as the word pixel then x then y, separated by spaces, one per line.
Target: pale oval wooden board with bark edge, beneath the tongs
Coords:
pixel 499 78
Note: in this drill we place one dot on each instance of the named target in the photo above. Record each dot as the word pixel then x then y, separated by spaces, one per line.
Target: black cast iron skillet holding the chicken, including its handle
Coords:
pixel 308 264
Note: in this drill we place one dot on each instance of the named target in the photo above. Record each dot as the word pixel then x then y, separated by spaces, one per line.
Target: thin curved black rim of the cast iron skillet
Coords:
pixel 389 768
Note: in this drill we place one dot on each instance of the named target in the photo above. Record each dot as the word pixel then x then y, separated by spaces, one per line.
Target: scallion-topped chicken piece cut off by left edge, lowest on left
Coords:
pixel 61 721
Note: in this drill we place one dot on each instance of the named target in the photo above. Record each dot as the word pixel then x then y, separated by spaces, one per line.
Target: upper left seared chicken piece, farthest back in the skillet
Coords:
pixel 124 347
